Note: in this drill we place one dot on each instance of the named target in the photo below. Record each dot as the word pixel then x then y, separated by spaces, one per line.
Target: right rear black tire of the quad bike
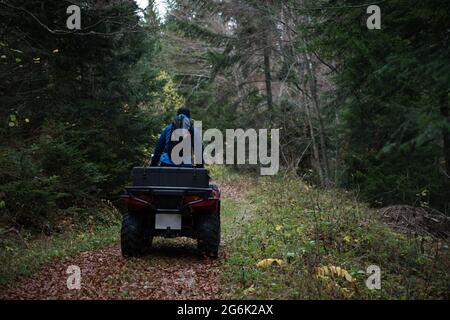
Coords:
pixel 208 234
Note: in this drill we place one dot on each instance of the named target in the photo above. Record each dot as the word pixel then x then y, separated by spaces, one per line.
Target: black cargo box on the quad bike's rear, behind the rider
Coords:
pixel 170 177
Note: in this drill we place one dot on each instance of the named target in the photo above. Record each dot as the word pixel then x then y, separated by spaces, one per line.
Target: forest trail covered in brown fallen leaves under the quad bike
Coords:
pixel 171 269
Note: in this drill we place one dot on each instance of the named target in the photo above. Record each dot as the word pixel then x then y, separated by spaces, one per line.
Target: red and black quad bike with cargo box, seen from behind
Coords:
pixel 171 202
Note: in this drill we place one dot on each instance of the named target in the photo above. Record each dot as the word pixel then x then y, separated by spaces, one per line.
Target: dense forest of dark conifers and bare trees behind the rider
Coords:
pixel 362 110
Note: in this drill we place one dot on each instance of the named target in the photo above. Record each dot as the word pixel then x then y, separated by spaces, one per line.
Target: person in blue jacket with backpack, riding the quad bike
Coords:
pixel 182 126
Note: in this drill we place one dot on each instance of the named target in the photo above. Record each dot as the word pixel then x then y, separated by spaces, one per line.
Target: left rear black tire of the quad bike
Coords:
pixel 133 235
